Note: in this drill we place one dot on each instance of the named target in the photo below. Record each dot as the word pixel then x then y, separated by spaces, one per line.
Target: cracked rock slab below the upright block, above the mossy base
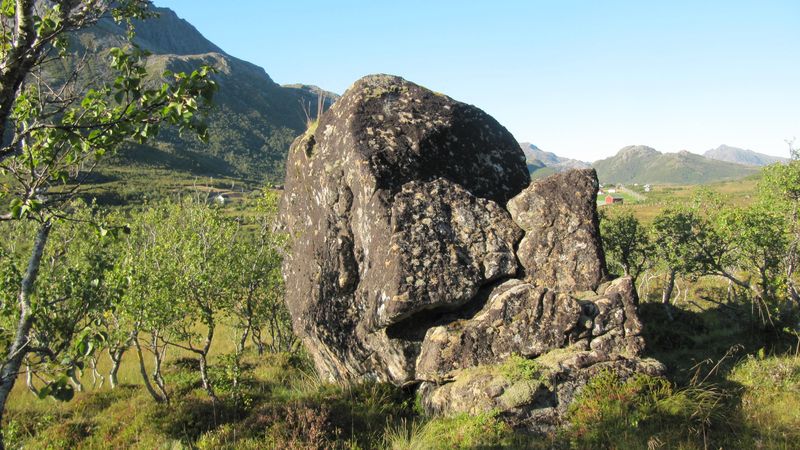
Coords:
pixel 521 319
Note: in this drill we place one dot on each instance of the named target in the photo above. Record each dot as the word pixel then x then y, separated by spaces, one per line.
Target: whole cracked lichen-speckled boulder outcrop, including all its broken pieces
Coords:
pixel 420 255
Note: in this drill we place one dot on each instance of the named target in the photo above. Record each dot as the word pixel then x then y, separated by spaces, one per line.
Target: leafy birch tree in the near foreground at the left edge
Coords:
pixel 55 132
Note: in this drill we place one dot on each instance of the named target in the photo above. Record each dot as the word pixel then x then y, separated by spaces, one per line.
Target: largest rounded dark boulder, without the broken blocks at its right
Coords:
pixel 394 203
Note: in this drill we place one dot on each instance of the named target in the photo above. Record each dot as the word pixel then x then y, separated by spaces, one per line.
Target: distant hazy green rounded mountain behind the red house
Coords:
pixel 642 164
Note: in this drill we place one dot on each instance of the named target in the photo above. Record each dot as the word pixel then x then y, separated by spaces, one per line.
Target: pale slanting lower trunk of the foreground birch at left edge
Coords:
pixel 19 346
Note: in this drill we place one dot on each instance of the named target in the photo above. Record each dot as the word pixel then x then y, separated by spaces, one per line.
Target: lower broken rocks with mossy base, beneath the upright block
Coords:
pixel 567 339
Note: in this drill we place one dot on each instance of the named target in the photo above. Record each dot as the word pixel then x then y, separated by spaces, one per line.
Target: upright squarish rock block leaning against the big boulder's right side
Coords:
pixel 561 248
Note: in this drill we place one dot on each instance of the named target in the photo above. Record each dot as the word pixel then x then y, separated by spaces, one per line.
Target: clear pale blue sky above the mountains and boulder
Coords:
pixel 581 78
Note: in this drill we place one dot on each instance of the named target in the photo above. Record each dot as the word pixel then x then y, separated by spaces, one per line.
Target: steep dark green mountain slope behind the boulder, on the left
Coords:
pixel 254 119
